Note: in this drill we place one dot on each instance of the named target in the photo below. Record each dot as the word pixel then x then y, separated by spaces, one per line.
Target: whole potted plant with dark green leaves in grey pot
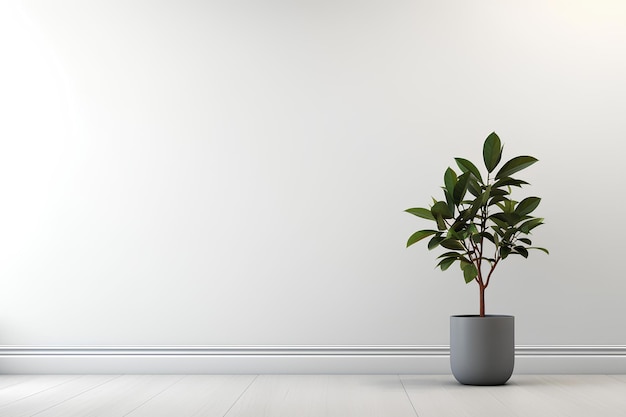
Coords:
pixel 479 225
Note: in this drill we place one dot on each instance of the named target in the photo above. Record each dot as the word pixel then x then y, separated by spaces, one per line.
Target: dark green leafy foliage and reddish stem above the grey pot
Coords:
pixel 478 221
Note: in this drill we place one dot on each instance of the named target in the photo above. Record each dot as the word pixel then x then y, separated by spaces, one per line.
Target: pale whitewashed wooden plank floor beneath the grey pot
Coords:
pixel 308 395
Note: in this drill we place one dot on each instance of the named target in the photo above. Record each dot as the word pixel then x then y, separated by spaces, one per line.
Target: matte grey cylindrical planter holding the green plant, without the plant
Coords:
pixel 482 349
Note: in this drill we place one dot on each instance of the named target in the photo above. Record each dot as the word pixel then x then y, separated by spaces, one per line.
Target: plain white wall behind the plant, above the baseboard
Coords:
pixel 234 172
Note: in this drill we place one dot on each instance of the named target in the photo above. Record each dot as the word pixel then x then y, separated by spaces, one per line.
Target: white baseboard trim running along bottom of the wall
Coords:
pixel 544 359
